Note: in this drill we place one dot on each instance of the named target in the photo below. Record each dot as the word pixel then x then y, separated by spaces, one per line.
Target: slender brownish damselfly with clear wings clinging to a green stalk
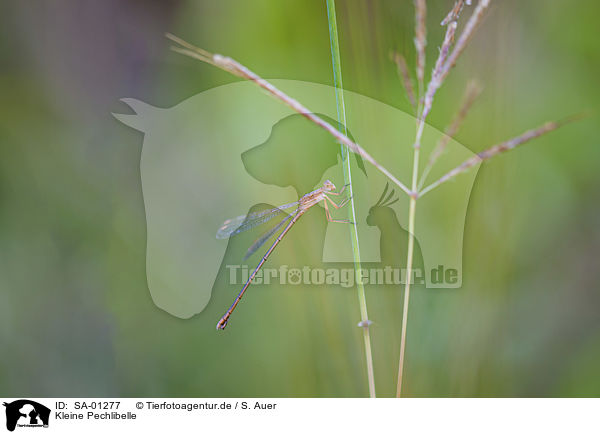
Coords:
pixel 243 223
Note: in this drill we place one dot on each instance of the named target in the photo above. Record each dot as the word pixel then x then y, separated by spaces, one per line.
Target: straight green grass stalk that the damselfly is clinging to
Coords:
pixel 341 113
